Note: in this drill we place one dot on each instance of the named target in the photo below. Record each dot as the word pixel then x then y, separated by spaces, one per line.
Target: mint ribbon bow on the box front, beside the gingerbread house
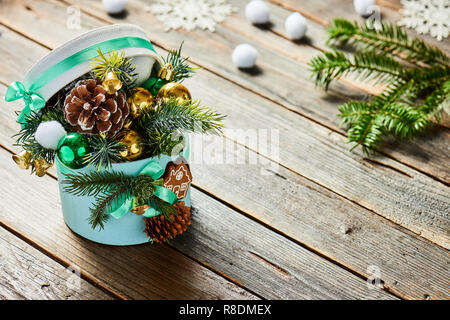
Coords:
pixel 154 170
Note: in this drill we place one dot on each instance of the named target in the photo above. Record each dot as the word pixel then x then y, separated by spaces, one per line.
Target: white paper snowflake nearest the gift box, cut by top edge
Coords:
pixel 191 14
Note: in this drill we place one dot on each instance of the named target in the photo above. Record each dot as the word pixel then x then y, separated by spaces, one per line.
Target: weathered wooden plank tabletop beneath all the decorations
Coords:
pixel 330 214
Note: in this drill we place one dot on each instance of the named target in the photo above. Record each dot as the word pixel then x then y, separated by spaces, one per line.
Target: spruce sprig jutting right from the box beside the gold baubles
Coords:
pixel 188 115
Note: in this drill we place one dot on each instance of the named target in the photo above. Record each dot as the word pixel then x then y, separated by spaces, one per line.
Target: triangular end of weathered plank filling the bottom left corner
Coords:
pixel 26 273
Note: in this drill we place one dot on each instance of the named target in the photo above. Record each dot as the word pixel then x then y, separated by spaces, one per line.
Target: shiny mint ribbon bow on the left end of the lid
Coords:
pixel 33 101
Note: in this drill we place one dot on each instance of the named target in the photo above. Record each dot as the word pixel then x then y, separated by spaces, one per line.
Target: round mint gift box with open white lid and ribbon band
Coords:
pixel 56 70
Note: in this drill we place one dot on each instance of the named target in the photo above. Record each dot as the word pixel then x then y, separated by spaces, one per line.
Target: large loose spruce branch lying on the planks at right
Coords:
pixel 415 94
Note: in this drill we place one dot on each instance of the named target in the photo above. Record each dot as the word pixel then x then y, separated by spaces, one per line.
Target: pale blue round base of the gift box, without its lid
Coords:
pixel 128 230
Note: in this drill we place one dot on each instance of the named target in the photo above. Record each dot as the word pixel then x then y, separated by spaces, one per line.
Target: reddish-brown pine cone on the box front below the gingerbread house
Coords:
pixel 160 229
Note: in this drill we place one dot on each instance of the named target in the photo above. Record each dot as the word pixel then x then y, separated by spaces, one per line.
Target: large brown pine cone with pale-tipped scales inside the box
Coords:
pixel 90 109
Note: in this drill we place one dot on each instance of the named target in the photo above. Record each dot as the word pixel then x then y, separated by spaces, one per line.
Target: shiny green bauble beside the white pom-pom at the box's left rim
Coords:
pixel 71 150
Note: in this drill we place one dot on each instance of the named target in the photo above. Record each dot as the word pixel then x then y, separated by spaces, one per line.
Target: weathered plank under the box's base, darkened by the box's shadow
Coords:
pixel 139 272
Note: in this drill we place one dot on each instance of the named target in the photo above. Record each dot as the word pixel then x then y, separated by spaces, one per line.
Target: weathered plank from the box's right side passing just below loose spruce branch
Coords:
pixel 323 156
